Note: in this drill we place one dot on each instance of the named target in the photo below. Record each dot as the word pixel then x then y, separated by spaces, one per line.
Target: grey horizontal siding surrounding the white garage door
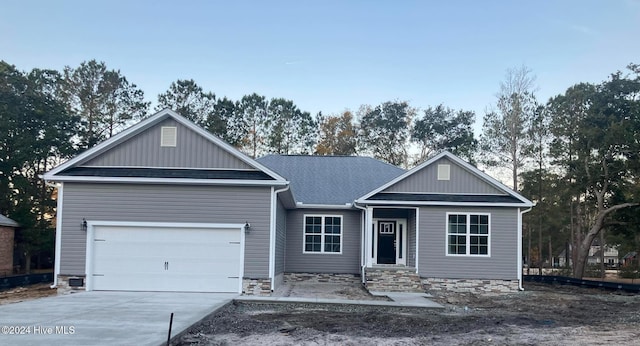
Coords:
pixel 166 203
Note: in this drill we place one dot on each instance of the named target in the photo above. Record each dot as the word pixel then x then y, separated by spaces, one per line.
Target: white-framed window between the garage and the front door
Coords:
pixel 322 234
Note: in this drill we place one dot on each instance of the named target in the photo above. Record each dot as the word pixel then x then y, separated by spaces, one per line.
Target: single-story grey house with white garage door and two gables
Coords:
pixel 167 206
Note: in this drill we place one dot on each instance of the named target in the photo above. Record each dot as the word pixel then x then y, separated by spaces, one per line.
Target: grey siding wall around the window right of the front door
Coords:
pixel 433 259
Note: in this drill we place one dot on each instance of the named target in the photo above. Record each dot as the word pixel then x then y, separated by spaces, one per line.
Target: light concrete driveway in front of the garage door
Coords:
pixel 105 318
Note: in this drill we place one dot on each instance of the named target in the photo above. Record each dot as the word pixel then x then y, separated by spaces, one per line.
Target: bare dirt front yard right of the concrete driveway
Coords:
pixel 542 315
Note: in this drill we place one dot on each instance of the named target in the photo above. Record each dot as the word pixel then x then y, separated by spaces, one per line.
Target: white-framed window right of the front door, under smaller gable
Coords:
pixel 468 234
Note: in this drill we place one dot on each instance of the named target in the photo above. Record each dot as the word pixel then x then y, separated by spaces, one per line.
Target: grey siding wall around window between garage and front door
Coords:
pixel 348 262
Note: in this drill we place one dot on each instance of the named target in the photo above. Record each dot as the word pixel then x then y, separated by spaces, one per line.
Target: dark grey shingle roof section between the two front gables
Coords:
pixel 334 180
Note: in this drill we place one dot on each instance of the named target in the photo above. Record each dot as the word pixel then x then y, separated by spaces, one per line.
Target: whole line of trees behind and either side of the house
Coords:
pixel 575 155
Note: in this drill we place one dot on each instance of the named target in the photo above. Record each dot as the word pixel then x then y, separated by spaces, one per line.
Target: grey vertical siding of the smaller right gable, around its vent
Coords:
pixel 426 181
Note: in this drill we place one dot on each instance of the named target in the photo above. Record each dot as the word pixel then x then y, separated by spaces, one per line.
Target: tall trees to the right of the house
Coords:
pixel 577 156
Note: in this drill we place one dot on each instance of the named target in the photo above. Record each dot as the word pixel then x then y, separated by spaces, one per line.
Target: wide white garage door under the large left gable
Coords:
pixel 166 259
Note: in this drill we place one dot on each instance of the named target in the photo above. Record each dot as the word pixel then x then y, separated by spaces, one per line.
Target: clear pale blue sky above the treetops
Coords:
pixel 331 55
